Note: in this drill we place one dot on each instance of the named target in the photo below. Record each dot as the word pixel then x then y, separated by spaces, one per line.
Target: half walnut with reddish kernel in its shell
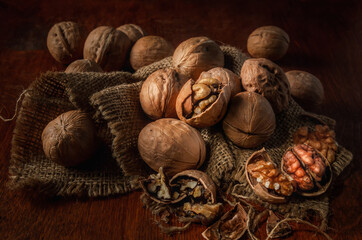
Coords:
pixel 310 171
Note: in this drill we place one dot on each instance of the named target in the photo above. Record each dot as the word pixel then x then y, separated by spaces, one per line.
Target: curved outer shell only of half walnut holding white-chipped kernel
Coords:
pixel 258 188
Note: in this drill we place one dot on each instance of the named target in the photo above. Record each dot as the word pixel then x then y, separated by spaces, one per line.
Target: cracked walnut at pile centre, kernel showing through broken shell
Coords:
pixel 203 103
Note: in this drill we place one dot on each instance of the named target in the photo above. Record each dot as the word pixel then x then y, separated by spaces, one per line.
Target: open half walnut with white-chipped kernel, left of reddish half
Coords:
pixel 266 180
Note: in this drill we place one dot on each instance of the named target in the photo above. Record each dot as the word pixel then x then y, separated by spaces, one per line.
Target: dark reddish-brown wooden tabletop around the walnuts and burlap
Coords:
pixel 326 40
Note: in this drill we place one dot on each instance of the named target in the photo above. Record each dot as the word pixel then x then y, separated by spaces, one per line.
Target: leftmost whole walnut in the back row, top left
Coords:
pixel 65 41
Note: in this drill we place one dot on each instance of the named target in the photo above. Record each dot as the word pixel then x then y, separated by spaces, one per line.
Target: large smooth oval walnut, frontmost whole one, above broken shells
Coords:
pixel 171 144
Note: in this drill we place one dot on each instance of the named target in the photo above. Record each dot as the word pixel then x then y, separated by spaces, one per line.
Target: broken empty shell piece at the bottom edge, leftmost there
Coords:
pixel 232 225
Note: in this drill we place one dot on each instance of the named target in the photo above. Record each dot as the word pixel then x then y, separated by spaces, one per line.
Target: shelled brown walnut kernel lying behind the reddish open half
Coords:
pixel 322 139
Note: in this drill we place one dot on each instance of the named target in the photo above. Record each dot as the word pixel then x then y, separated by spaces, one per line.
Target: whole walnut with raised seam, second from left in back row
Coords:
pixel 108 47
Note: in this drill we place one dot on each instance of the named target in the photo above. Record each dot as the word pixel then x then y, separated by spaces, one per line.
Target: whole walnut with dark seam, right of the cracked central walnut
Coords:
pixel 250 120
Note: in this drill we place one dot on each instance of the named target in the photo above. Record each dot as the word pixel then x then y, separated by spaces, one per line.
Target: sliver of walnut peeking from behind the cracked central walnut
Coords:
pixel 226 76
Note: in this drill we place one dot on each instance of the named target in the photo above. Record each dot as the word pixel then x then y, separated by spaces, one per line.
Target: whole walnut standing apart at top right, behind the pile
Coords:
pixel 268 42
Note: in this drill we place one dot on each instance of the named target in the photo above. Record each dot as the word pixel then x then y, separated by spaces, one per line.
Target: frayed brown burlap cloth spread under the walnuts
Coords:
pixel 113 101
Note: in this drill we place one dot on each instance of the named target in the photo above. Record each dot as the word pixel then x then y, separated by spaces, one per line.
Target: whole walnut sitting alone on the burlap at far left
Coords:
pixel 70 139
